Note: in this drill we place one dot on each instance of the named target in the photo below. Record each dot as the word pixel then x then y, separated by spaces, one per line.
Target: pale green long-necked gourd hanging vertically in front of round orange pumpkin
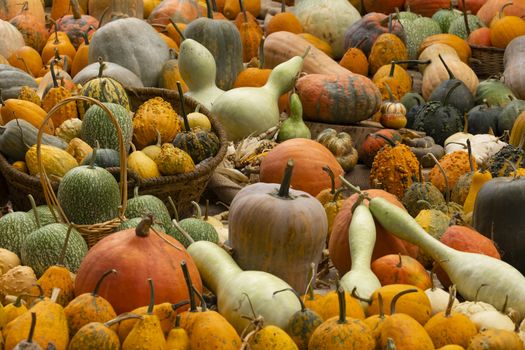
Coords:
pixel 361 238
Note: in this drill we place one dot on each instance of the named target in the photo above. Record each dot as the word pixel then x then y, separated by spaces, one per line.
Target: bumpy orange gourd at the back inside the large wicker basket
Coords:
pixel 155 114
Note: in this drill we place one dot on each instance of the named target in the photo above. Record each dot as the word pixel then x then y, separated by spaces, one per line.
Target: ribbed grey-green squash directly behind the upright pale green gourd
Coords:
pixel 223 40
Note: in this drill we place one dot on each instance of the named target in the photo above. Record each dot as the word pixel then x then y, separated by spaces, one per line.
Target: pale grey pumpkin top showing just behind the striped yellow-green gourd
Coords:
pixel 111 70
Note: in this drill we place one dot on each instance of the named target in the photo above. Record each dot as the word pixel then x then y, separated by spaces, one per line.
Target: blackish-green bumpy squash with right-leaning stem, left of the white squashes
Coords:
pixel 439 119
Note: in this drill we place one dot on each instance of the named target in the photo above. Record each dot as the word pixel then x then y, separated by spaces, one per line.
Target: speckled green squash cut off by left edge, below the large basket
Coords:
pixel 14 229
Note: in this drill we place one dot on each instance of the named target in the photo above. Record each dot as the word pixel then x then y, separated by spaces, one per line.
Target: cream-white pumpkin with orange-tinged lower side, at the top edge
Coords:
pixel 327 20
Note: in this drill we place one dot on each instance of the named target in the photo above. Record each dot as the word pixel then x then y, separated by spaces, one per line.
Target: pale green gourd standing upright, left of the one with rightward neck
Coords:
pixel 198 70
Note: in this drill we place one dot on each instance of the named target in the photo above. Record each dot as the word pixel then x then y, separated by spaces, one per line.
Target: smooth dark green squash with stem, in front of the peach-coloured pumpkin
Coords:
pixel 462 98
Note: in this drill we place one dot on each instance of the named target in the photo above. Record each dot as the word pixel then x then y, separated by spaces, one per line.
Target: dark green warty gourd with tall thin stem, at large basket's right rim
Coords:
pixel 198 143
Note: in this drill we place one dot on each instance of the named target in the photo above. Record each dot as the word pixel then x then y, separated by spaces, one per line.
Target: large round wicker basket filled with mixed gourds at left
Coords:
pixel 182 188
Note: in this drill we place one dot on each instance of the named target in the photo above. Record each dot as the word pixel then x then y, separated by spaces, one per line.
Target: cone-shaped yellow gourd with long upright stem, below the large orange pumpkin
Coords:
pixel 147 332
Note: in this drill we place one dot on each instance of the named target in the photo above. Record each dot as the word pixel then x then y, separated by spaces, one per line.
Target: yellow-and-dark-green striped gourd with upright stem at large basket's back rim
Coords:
pixel 104 89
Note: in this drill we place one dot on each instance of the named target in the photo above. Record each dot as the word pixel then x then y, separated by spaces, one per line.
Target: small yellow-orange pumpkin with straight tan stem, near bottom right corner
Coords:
pixel 449 327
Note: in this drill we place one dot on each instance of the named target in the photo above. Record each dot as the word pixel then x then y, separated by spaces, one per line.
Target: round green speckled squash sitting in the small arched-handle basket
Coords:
pixel 89 195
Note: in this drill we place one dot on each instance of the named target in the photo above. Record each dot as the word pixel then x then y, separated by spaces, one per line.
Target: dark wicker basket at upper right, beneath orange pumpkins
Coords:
pixel 487 61
